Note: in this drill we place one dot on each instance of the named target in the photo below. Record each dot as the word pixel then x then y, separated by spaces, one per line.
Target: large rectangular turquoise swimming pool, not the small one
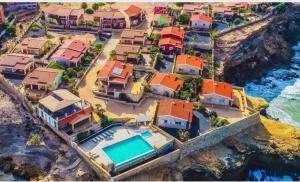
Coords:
pixel 129 151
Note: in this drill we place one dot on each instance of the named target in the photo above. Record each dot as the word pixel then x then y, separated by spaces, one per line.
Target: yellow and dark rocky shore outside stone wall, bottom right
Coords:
pixel 271 143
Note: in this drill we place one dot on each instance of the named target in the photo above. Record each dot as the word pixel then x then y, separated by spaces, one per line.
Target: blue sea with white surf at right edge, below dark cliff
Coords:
pixel 280 86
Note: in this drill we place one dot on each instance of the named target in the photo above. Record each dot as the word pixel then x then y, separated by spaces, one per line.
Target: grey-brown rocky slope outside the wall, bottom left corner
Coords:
pixel 52 160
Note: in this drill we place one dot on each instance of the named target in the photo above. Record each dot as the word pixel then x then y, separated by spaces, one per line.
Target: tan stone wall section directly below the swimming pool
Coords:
pixel 165 159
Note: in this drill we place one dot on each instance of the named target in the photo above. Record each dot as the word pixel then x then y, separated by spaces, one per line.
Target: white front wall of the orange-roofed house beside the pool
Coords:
pixel 170 122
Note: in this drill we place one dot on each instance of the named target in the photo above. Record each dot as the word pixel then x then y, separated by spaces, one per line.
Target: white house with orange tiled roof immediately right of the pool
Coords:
pixel 174 114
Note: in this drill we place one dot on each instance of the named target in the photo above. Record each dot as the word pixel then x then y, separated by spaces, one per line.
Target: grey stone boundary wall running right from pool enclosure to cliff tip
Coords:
pixel 217 135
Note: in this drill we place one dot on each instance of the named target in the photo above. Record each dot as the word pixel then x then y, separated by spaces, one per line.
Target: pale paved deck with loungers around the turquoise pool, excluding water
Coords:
pixel 120 133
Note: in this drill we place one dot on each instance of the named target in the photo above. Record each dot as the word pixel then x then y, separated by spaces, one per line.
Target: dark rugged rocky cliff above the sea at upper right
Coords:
pixel 249 51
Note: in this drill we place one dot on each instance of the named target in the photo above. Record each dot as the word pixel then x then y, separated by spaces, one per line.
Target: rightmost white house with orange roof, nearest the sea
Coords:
pixel 218 93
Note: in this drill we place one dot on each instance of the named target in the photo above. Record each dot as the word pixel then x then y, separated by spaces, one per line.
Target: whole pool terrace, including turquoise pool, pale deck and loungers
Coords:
pixel 121 147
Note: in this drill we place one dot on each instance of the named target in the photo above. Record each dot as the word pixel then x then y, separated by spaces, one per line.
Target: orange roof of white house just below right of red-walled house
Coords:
pixel 190 60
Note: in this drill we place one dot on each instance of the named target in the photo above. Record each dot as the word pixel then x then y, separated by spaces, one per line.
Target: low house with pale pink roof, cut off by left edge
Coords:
pixel 17 64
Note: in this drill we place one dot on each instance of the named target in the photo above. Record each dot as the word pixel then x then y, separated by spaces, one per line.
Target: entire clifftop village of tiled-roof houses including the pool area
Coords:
pixel 109 77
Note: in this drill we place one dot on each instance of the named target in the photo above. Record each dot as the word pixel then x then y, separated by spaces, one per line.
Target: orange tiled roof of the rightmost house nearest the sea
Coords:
pixel 215 87
